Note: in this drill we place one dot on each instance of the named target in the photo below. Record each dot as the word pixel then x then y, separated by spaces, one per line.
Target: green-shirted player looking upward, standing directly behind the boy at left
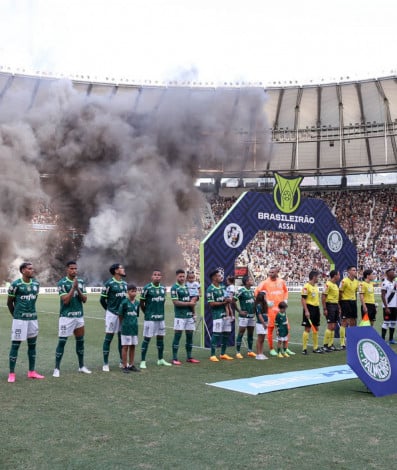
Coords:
pixel 113 292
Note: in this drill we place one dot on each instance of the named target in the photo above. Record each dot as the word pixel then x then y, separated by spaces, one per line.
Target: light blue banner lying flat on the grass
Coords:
pixel 287 380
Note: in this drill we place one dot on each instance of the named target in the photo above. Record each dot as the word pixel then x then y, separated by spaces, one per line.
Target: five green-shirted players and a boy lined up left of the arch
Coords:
pixel 119 300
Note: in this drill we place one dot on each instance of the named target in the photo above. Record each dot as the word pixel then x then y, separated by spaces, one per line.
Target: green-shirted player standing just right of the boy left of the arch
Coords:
pixel 152 302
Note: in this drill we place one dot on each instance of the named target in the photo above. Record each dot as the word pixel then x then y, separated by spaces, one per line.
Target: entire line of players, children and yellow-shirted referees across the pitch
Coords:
pixel 263 310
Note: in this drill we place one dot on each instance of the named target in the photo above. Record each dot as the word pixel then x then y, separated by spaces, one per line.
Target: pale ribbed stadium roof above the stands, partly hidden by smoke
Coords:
pixel 321 129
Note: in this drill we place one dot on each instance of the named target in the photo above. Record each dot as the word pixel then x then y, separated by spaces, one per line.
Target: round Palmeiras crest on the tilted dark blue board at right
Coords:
pixel 373 360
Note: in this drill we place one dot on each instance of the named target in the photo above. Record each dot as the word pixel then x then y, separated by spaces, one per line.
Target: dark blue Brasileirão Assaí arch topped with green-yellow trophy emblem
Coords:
pixel 283 211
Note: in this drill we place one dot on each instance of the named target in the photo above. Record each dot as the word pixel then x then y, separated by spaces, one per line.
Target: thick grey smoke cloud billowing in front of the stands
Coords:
pixel 122 179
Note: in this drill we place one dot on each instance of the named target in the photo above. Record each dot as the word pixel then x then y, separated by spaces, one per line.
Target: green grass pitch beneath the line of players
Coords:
pixel 168 418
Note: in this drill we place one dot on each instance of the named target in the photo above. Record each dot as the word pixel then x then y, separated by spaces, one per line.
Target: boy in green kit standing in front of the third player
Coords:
pixel 128 313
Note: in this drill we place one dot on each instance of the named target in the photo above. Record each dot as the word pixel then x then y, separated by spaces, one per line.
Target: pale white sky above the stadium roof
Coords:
pixel 207 40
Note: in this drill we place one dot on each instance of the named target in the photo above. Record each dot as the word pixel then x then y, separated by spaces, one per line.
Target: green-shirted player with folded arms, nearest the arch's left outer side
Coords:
pixel 184 317
